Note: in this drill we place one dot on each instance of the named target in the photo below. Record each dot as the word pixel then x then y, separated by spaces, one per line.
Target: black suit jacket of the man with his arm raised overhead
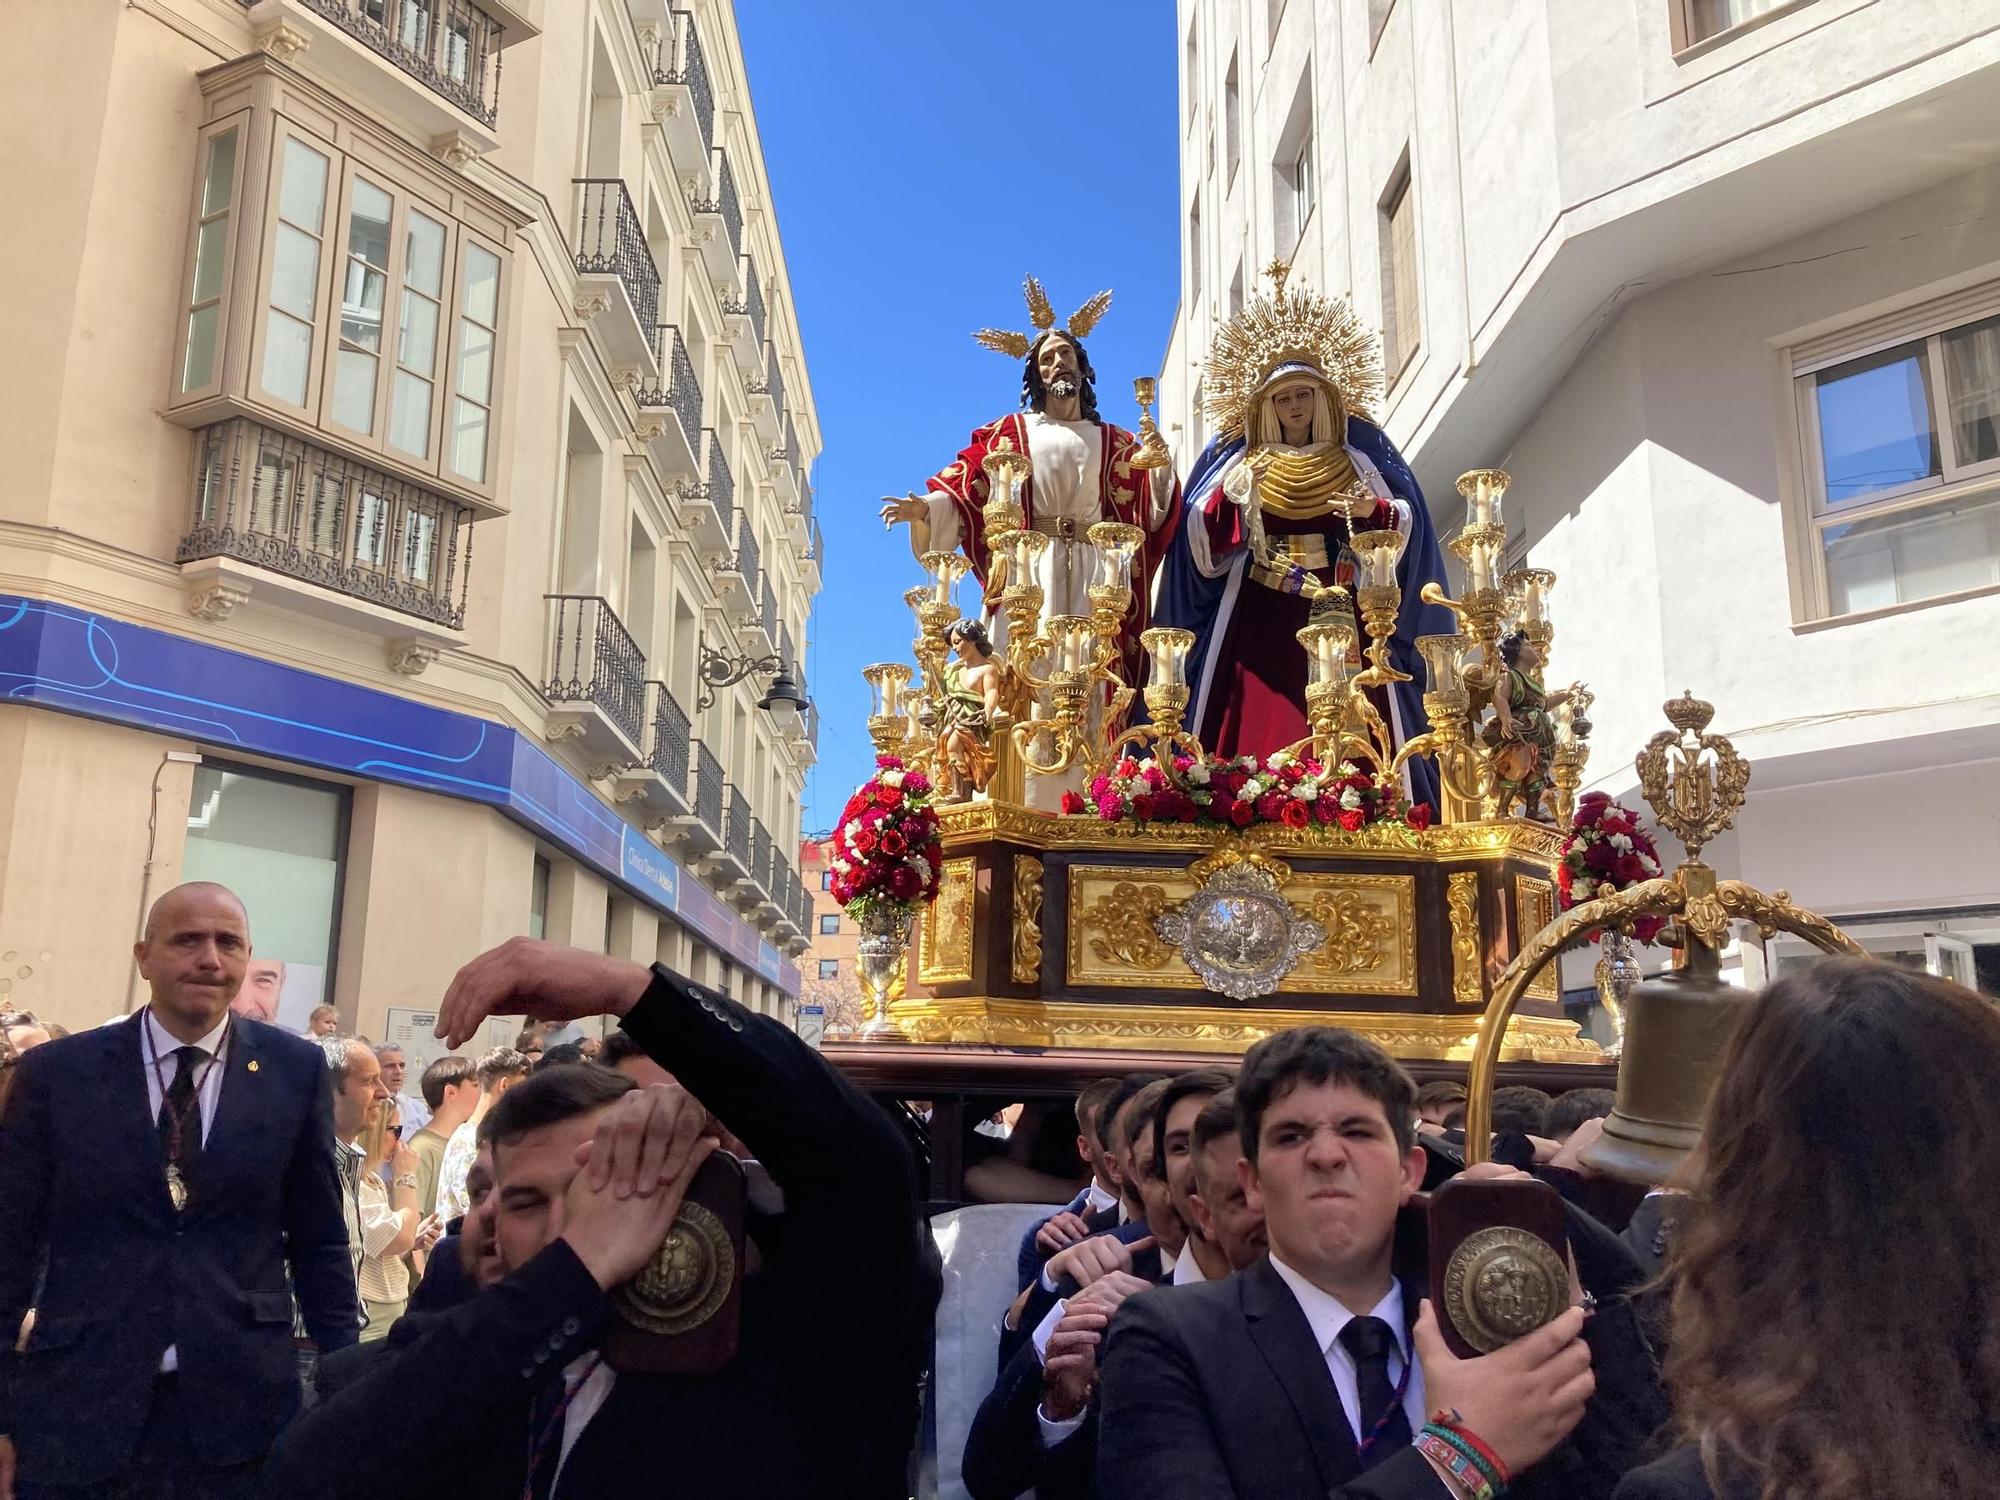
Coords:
pixel 775 1423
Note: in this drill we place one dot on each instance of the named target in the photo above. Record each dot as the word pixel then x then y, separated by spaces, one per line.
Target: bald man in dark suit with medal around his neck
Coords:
pixel 167 1173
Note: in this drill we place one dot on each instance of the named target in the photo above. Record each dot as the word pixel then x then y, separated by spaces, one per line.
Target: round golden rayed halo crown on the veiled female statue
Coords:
pixel 1279 329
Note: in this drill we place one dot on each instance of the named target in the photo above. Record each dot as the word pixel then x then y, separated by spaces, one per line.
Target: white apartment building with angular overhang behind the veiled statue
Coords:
pixel 1719 283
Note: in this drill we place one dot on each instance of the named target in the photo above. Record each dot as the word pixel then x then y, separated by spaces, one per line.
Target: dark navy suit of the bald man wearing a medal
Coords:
pixel 83 1181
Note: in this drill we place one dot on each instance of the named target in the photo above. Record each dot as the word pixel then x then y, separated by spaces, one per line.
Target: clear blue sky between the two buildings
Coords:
pixel 923 159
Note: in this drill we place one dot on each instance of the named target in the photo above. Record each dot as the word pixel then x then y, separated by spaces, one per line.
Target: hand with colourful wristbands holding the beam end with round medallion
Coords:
pixel 1523 1399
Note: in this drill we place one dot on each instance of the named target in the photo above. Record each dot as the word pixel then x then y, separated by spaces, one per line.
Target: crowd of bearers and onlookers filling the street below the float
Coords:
pixel 239 1261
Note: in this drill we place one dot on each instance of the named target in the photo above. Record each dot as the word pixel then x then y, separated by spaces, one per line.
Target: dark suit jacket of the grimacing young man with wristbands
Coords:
pixel 1219 1389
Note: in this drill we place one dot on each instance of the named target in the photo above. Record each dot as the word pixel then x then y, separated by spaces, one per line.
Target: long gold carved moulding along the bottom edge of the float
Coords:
pixel 1217 1031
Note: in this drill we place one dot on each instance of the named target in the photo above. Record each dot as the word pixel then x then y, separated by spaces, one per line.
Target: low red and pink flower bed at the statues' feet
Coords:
pixel 1283 789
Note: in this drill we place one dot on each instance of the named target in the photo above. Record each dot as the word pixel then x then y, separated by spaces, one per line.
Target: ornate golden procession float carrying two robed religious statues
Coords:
pixel 1175 767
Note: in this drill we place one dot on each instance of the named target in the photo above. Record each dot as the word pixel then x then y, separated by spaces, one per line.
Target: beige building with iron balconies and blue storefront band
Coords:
pixel 409 519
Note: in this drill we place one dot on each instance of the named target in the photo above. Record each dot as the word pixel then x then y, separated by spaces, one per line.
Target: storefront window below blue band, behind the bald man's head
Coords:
pixel 279 845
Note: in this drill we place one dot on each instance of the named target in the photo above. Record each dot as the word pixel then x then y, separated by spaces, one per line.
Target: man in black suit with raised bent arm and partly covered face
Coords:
pixel 517 1373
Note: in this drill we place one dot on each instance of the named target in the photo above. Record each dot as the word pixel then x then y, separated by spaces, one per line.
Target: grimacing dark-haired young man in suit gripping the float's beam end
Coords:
pixel 1311 1373
